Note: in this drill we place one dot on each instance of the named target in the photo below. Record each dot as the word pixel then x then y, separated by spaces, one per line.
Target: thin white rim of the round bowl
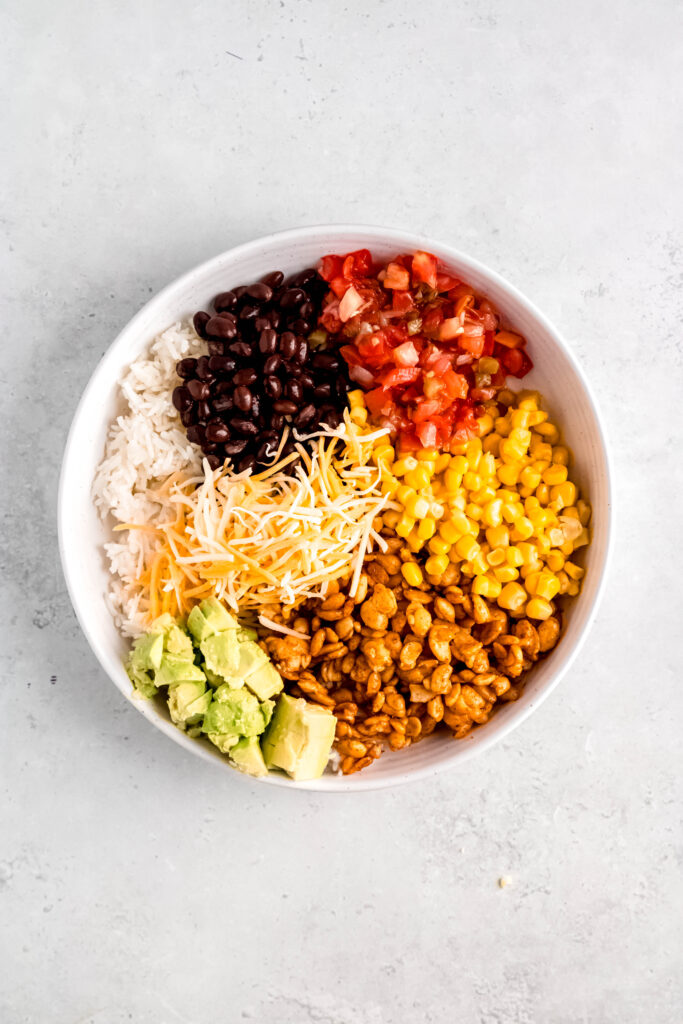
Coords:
pixel 310 233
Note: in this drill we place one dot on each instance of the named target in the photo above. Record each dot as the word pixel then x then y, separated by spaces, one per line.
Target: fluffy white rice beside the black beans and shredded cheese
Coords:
pixel 145 446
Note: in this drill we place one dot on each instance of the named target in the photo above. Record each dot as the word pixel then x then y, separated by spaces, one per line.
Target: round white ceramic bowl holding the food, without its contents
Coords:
pixel 557 375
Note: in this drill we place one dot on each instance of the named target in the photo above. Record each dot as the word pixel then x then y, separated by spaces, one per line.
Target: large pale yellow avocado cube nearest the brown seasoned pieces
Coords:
pixel 300 739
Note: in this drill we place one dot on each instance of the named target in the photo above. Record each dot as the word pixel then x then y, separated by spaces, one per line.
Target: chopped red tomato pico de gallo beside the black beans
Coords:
pixel 424 348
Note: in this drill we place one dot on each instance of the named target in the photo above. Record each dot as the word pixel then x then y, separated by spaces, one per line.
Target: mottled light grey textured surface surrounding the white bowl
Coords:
pixel 138 883
